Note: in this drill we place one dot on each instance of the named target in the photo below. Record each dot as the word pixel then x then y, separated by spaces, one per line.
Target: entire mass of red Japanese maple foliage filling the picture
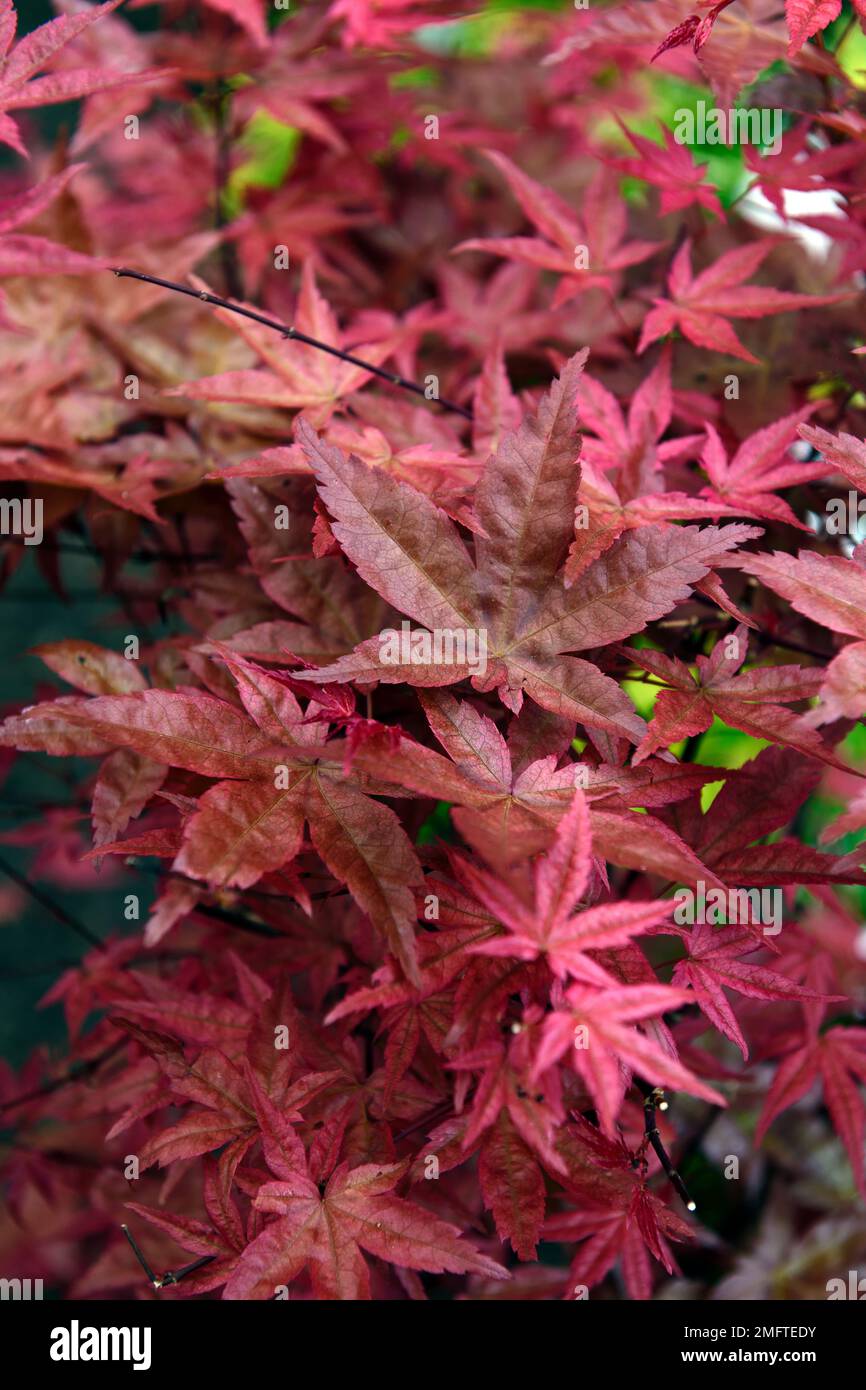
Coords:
pixel 416 976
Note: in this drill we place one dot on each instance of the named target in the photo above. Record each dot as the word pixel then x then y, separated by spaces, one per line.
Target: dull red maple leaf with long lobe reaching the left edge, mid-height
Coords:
pixel 247 825
